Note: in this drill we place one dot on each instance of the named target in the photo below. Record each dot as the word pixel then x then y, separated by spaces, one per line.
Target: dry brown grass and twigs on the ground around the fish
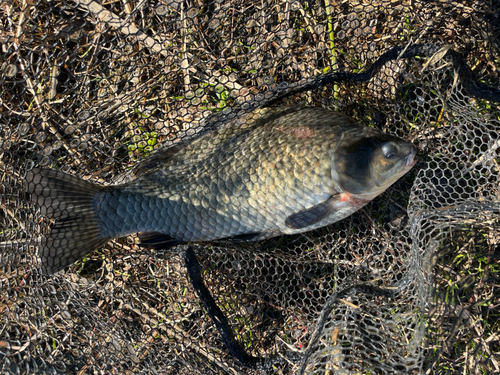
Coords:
pixel 94 88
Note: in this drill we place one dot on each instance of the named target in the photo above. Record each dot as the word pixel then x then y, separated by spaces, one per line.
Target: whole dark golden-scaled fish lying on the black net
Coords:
pixel 274 171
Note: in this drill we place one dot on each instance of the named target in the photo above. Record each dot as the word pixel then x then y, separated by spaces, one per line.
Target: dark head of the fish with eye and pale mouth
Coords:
pixel 367 163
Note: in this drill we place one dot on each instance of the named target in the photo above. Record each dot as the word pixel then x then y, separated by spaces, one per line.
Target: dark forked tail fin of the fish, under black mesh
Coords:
pixel 68 200
